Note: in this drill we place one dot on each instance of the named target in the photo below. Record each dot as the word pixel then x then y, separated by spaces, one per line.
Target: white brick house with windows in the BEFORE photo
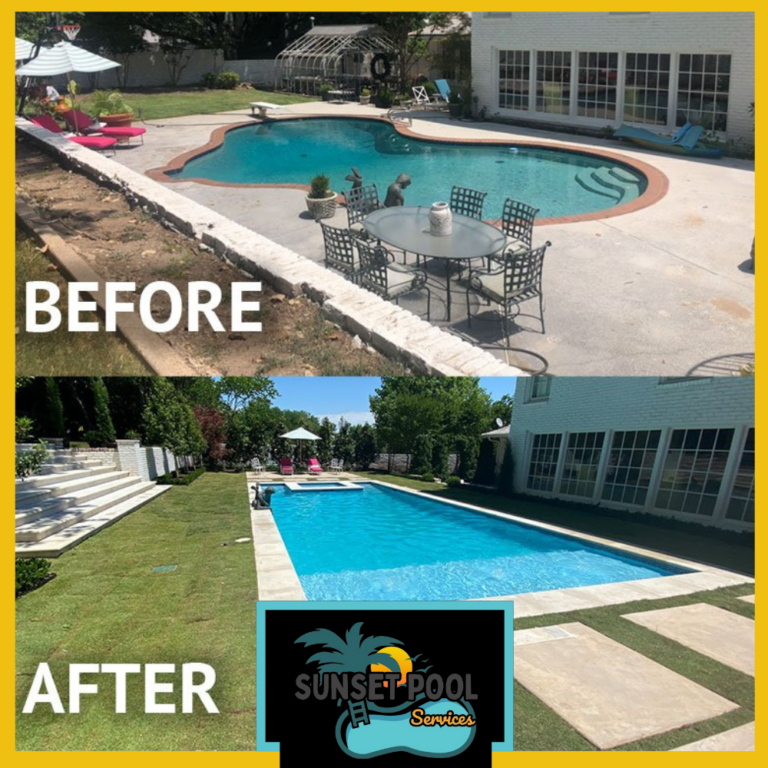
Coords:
pixel 655 70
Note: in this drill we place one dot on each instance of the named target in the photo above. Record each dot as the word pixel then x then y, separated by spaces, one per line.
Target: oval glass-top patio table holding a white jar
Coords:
pixel 408 229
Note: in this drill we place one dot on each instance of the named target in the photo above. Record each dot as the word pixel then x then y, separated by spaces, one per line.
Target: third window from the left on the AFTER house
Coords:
pixel 630 466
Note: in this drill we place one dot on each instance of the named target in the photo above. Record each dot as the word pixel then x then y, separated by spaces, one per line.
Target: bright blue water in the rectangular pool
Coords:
pixel 384 544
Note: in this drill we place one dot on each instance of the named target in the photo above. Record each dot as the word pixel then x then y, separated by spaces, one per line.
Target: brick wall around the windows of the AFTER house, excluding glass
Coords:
pixel 611 404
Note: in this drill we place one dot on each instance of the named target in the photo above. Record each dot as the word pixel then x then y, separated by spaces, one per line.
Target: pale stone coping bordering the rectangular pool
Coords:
pixel 277 578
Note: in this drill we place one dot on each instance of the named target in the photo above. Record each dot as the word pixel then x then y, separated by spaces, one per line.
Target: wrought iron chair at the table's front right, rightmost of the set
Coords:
pixel 516 281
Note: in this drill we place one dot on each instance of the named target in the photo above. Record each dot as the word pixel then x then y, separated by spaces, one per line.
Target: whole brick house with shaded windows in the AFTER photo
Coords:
pixel 679 448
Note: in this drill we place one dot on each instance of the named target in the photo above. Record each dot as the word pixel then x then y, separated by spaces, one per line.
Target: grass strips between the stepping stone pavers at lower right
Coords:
pixel 538 728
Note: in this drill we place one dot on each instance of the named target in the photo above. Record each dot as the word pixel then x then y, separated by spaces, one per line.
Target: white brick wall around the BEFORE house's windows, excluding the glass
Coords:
pixel 673 33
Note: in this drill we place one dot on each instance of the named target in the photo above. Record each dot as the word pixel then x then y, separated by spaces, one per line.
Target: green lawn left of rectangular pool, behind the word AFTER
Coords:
pixel 106 605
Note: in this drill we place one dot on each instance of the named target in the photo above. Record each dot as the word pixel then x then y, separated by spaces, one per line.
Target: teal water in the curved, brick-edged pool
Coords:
pixel 294 151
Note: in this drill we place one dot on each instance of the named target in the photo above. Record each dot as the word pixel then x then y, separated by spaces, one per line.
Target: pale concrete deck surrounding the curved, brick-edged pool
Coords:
pixel 661 291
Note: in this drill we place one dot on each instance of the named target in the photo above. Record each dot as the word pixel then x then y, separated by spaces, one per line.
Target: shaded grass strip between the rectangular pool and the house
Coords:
pixel 712 547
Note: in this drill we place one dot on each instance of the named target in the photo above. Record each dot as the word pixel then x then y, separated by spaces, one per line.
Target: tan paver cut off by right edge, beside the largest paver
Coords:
pixel 711 631
